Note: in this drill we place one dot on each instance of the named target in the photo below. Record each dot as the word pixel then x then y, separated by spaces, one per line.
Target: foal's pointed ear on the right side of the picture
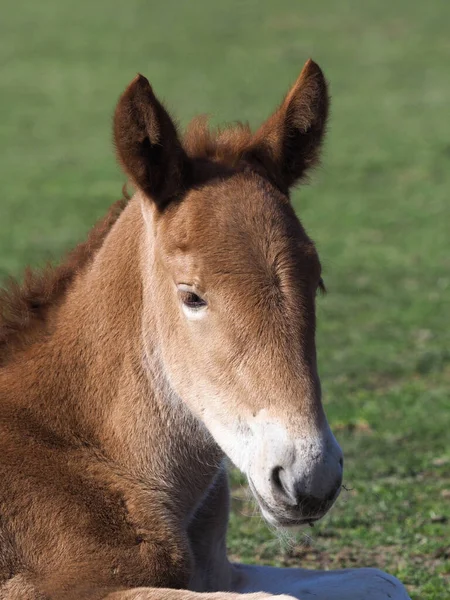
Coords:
pixel 289 142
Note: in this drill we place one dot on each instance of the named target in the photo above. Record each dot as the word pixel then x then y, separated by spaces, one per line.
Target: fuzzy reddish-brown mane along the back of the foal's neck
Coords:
pixel 24 307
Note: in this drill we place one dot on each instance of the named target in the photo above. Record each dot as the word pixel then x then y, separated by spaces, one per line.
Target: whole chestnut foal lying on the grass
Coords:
pixel 183 330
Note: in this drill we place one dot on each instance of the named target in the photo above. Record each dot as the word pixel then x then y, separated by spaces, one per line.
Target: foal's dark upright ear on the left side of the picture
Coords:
pixel 147 143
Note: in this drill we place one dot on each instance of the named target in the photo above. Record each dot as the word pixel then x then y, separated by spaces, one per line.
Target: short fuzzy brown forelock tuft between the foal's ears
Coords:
pixel 224 144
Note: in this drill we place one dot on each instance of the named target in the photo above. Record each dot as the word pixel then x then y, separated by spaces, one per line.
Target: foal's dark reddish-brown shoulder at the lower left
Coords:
pixel 71 517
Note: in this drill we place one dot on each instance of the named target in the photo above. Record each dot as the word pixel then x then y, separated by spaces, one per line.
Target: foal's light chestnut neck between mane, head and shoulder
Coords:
pixel 107 385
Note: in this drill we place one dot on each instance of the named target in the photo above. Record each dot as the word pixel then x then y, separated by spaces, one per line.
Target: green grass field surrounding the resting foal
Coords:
pixel 378 208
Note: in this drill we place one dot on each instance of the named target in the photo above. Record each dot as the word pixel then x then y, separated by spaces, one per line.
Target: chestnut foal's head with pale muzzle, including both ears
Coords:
pixel 230 280
